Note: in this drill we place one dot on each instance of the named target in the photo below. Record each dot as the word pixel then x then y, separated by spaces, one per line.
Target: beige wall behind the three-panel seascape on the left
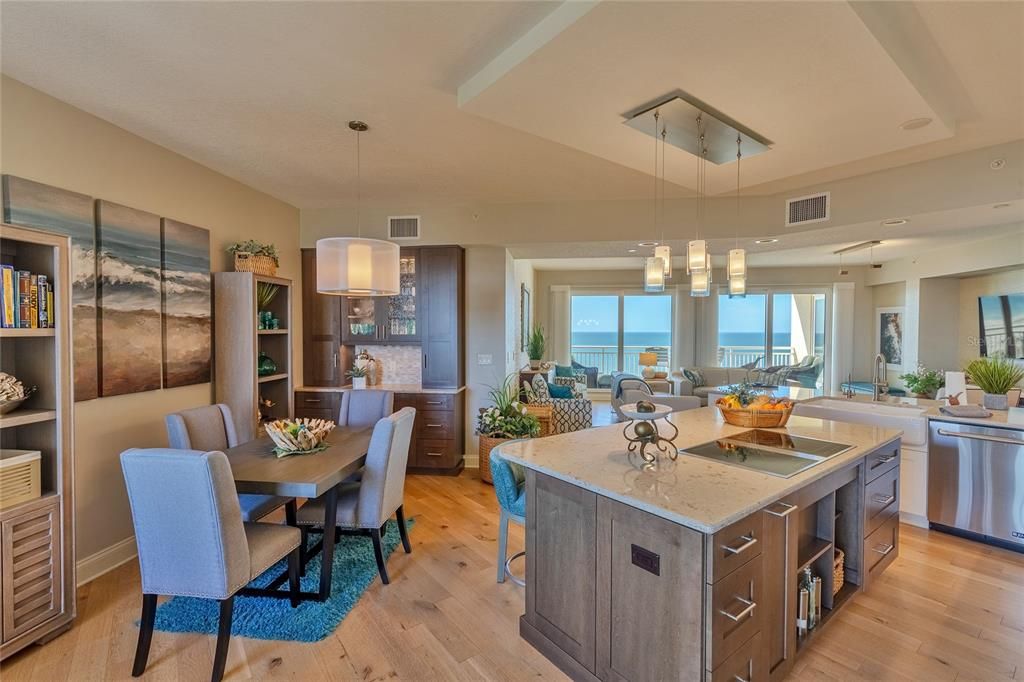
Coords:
pixel 50 142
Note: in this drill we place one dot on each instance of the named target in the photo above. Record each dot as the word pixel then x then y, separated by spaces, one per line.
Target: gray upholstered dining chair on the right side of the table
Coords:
pixel 366 506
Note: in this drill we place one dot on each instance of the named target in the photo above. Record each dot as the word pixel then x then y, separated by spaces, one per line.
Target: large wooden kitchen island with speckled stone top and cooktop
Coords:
pixel 690 570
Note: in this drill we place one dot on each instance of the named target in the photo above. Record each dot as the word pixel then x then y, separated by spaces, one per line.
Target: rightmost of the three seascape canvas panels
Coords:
pixel 187 313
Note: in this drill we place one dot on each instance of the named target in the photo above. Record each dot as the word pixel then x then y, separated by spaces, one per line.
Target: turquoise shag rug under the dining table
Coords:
pixel 268 618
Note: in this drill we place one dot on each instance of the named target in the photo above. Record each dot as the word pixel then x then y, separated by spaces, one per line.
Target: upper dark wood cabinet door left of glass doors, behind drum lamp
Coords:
pixel 321 330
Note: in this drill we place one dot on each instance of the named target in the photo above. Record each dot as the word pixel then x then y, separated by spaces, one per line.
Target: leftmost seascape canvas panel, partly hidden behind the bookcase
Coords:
pixel 35 205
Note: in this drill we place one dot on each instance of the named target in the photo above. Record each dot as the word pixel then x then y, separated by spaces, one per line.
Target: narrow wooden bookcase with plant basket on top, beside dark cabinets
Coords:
pixel 238 344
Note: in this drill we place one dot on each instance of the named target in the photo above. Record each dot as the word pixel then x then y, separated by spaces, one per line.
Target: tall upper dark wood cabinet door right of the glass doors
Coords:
pixel 442 272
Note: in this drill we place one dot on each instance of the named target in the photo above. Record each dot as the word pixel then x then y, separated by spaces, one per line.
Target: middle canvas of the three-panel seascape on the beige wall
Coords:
pixel 130 291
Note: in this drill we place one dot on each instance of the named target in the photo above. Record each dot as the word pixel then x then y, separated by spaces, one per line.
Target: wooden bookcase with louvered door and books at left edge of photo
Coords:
pixel 37 537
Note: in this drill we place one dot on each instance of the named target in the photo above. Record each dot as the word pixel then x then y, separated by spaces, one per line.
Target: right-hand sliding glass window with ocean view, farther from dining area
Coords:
pixel 776 329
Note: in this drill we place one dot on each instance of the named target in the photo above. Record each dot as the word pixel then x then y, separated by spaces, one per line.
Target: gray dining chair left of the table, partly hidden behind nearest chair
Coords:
pixel 209 429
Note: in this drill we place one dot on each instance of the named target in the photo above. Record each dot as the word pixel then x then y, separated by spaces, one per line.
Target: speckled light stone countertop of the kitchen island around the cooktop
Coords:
pixel 695 492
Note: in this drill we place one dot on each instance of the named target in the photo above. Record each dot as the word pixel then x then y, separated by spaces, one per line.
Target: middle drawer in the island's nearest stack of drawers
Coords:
pixel 733 613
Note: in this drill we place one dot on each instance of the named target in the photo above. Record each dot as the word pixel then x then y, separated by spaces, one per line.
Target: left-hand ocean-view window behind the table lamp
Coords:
pixel 610 331
